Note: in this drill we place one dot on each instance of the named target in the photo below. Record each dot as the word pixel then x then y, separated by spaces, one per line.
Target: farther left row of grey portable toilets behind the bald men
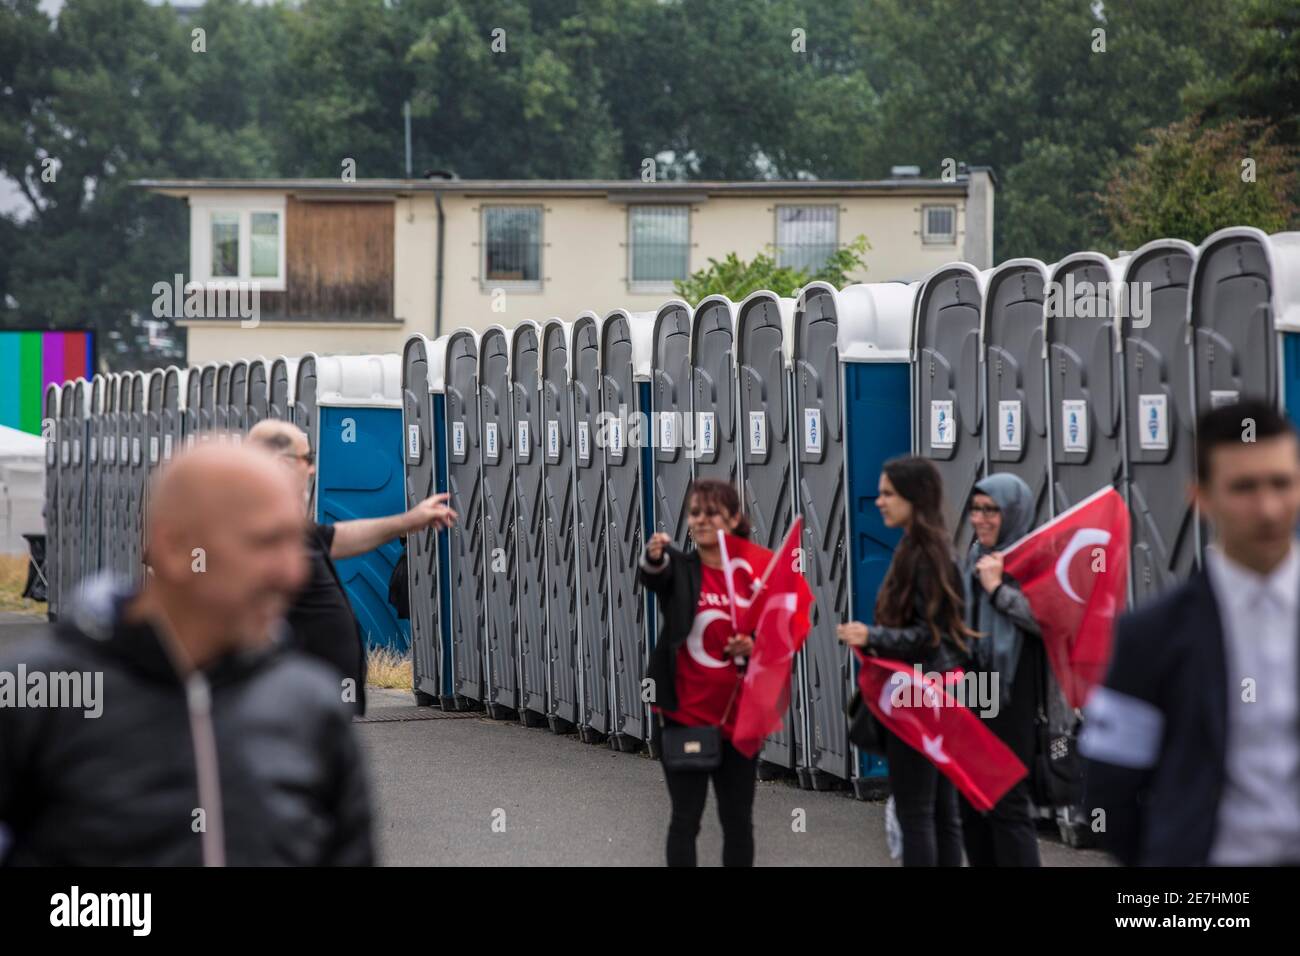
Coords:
pixel 106 438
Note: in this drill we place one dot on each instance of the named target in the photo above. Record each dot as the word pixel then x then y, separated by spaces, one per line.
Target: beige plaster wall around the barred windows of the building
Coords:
pixel 584 266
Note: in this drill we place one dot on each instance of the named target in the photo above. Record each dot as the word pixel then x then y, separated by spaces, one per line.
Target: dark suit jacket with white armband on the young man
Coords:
pixel 1168 655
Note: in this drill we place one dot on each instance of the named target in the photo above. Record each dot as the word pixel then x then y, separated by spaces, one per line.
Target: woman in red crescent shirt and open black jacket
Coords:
pixel 696 674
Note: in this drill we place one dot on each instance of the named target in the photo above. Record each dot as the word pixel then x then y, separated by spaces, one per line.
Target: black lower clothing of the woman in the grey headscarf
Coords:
pixel 1007 836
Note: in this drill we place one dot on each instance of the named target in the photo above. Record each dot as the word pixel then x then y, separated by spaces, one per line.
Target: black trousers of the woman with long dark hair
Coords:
pixel 926 803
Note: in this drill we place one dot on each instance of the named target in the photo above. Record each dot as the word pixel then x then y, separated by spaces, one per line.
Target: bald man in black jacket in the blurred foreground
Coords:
pixel 172 728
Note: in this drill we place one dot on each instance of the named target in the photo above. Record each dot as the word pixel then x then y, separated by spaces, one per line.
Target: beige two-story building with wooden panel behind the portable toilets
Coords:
pixel 357 267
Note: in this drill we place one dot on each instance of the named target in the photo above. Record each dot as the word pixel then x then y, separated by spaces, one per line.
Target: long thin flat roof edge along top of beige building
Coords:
pixel 617 191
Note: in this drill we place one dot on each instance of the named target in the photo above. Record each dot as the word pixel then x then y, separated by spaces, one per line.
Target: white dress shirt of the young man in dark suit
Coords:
pixel 1259 815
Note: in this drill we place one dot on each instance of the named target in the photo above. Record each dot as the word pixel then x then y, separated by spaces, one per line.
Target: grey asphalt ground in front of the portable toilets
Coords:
pixel 439 786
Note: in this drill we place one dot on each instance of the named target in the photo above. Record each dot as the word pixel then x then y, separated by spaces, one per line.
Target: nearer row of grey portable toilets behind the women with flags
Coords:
pixel 531 607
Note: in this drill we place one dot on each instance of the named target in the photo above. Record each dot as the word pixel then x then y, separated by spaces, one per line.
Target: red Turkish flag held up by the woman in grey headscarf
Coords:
pixel 1074 570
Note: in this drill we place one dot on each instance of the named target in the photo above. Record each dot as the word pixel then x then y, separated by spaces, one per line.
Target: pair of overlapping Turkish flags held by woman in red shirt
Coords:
pixel 775 608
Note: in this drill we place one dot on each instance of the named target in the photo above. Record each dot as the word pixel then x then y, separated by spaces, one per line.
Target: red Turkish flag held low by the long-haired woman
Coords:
pixel 926 717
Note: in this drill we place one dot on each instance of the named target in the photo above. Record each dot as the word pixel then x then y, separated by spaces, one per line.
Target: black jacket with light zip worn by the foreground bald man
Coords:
pixel 123 789
